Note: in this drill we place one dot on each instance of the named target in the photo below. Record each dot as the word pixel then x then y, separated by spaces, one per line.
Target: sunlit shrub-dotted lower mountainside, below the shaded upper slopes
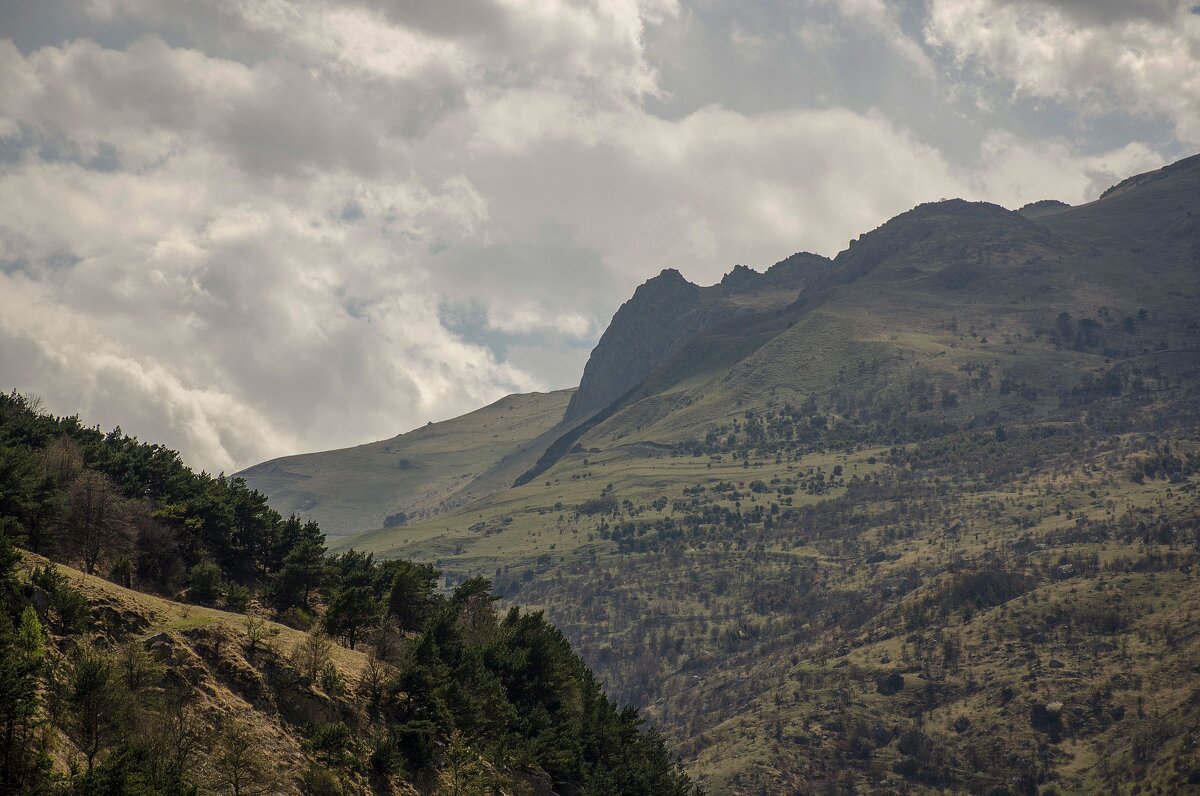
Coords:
pixel 765 696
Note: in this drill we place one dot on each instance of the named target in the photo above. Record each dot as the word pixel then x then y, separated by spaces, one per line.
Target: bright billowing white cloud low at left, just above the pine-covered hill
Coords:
pixel 191 295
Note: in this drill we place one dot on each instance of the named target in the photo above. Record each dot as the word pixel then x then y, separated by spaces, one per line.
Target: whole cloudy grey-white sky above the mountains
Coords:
pixel 249 229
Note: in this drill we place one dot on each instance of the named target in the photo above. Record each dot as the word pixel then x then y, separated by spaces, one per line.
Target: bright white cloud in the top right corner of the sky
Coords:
pixel 1137 58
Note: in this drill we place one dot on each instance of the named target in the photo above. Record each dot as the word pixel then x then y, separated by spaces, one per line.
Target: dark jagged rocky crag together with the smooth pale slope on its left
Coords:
pixel 447 465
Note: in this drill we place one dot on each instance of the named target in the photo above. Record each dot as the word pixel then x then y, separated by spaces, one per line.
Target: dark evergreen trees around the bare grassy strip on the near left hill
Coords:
pixel 451 685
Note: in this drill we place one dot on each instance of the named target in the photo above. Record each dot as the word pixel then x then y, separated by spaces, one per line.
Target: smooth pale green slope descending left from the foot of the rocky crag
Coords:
pixel 421 472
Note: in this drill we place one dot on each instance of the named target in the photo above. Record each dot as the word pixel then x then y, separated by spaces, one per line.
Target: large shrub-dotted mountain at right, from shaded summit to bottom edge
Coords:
pixel 927 523
